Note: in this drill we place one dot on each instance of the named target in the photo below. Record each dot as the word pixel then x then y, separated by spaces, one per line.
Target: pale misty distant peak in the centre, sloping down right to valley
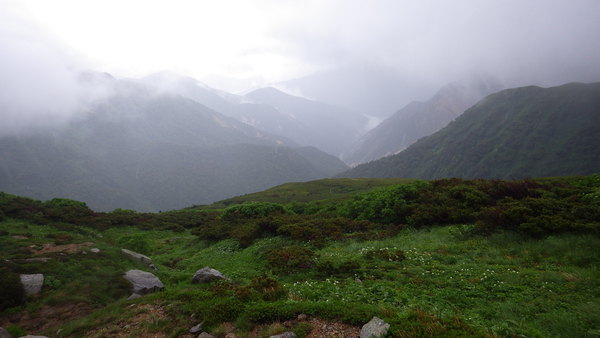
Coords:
pixel 330 128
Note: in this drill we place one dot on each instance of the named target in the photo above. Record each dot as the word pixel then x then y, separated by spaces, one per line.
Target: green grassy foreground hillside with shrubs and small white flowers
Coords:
pixel 432 258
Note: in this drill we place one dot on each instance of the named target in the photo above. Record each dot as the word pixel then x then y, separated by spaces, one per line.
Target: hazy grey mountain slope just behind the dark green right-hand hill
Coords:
pixel 419 119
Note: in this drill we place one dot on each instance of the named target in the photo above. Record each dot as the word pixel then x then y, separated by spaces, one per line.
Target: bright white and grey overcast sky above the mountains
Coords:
pixel 235 45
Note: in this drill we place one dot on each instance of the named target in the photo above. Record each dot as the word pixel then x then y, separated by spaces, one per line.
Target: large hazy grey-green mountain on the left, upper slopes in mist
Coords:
pixel 149 151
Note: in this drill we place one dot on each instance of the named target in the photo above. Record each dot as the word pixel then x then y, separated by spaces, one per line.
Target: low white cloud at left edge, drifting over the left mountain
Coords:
pixel 42 84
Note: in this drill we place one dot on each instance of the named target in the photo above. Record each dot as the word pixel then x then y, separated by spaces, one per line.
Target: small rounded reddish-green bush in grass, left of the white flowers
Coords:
pixel 289 259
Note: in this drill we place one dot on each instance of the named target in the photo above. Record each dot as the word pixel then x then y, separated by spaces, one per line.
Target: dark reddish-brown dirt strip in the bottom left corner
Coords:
pixel 47 316
